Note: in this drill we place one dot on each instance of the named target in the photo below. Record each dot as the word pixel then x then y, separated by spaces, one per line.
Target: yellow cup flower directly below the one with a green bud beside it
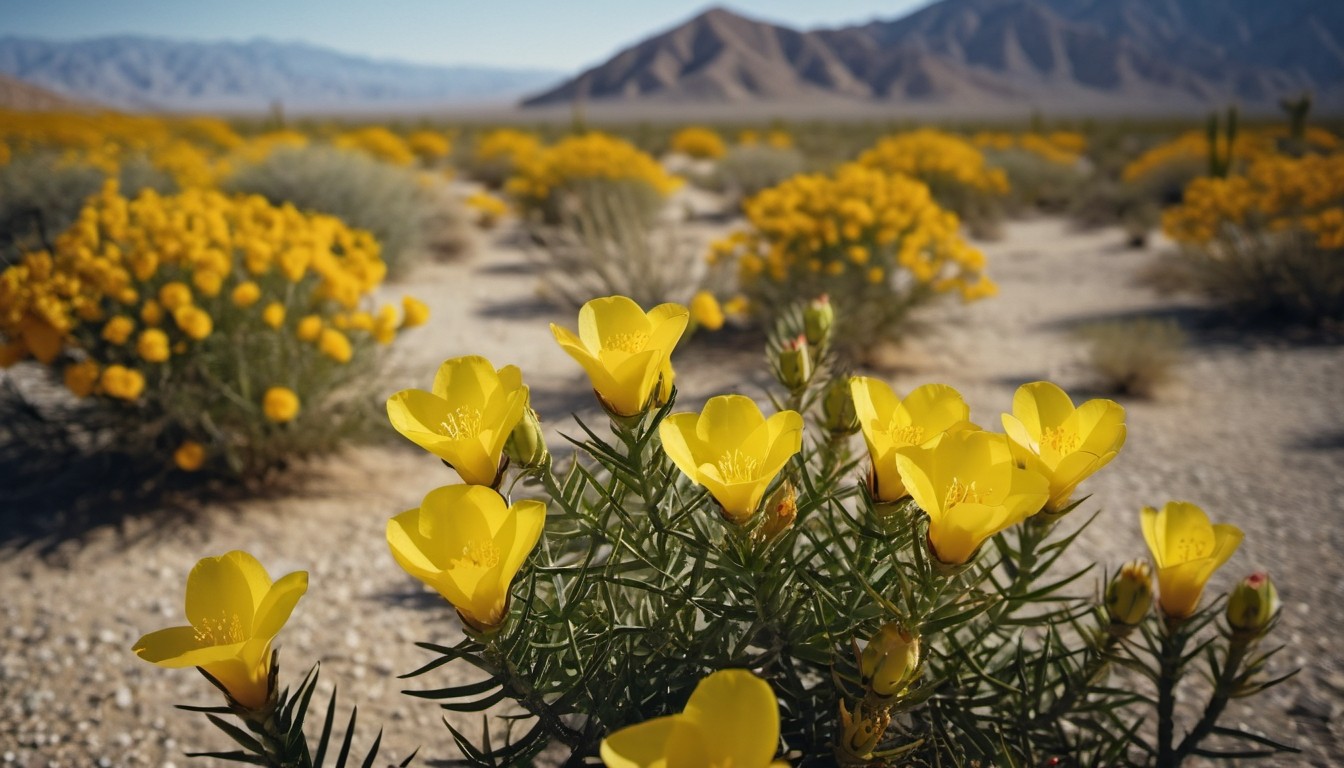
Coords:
pixel 468 545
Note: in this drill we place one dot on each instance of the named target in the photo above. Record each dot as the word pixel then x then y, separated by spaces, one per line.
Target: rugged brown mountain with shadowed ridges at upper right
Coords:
pixel 1087 54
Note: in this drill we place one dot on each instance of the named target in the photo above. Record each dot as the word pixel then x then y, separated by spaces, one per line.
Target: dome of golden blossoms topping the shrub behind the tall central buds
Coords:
pixel 857 227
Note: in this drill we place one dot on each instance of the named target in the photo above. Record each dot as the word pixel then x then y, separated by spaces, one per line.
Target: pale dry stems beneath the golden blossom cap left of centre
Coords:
pixel 612 247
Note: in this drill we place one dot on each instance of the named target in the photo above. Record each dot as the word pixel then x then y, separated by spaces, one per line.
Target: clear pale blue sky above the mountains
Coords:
pixel 537 34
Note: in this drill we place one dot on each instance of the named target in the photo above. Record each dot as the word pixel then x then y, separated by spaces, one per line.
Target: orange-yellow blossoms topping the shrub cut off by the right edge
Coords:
pixel 1277 193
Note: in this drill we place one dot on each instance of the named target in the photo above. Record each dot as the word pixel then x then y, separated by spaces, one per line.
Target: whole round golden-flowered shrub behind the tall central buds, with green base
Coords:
pixel 876 243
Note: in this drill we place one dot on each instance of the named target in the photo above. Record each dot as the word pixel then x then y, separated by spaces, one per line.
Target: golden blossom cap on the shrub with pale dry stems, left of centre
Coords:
pixel 588 158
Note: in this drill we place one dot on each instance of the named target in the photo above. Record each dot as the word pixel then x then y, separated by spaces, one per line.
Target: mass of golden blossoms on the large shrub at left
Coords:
pixel 140 283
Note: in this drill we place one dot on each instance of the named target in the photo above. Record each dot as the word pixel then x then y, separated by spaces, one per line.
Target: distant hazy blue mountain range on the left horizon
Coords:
pixel 153 75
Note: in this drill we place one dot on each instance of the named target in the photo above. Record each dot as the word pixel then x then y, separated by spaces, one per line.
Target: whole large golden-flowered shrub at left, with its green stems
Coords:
pixel 239 334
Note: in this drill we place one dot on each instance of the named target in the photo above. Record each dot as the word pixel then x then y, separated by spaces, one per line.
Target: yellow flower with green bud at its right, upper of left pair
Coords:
pixel 467 418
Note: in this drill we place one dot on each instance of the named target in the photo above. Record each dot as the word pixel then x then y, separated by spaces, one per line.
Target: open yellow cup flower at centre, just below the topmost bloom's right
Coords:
pixel 733 450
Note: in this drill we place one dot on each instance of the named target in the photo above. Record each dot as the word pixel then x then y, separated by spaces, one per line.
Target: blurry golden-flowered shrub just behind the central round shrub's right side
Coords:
pixel 954 170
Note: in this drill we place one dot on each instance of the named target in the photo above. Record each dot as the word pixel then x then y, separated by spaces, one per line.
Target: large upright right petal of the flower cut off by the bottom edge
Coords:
pixel 739 716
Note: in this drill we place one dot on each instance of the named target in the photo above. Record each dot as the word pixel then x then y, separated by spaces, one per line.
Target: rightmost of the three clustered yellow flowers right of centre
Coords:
pixel 1064 443
